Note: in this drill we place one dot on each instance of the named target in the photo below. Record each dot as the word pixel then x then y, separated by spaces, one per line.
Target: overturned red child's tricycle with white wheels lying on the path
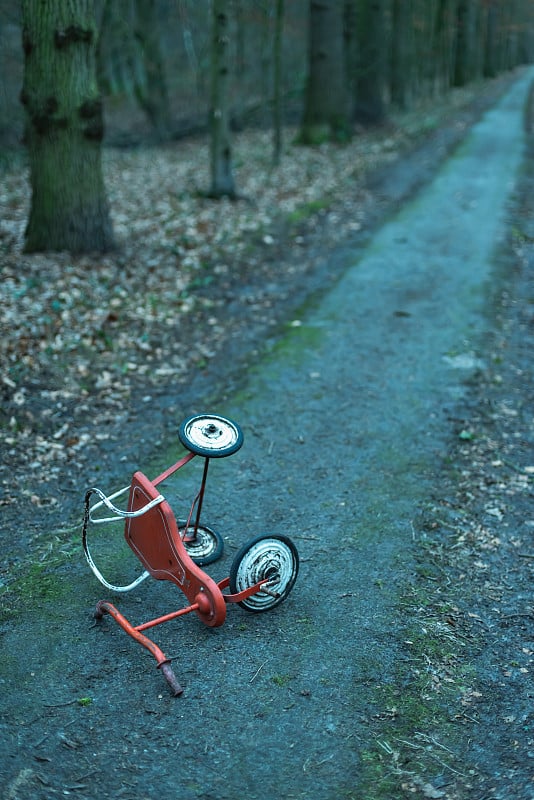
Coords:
pixel 262 573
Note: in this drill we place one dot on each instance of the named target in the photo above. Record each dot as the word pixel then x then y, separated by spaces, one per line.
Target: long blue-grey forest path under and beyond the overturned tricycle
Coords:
pixel 347 423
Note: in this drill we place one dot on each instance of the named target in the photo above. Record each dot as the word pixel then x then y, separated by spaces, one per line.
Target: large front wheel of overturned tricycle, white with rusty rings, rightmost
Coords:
pixel 274 558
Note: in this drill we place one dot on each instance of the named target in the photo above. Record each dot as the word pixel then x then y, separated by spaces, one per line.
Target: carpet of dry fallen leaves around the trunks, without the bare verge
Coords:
pixel 80 333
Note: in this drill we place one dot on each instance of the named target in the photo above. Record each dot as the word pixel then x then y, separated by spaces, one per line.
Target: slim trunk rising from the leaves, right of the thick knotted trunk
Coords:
pixel 222 181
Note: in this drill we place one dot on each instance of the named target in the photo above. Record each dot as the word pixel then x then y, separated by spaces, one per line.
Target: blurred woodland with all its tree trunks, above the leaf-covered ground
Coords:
pixel 170 68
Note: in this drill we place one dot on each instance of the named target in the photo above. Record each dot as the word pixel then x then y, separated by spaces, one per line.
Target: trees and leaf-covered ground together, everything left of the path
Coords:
pixel 122 120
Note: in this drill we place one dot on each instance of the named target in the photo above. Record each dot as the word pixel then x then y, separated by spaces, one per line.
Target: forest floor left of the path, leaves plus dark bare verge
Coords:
pixel 86 341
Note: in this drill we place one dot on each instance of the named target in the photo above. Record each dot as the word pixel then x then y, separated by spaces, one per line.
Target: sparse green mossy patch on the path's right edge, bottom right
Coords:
pixel 417 727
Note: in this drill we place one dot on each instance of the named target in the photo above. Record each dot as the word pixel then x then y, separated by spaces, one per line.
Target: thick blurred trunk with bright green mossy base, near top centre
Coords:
pixel 325 112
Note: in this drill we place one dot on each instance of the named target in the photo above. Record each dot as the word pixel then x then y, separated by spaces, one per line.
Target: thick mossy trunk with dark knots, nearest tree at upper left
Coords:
pixel 64 128
